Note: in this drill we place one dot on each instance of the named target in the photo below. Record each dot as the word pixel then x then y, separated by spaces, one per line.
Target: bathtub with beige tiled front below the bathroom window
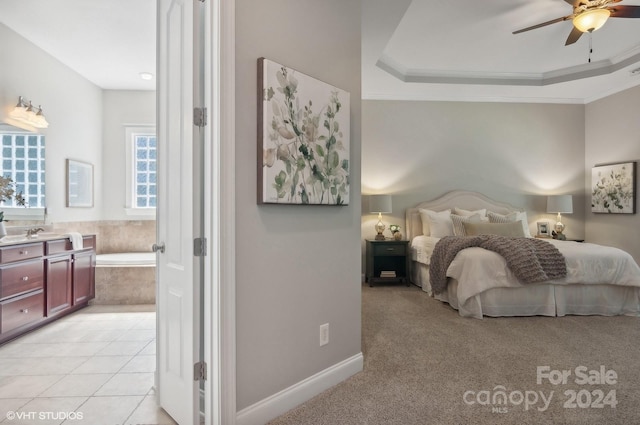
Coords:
pixel 126 278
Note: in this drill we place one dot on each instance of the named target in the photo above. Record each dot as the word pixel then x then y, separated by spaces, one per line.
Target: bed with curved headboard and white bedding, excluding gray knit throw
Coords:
pixel 599 281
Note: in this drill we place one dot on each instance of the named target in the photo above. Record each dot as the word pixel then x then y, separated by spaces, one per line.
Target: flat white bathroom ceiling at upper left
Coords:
pixel 109 42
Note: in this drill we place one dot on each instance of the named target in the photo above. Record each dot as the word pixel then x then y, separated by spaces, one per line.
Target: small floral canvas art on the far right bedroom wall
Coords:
pixel 613 188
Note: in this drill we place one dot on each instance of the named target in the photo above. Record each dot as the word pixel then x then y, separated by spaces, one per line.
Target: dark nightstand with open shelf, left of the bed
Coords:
pixel 387 261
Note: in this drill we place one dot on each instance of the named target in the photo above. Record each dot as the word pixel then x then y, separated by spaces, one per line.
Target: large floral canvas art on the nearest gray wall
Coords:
pixel 303 138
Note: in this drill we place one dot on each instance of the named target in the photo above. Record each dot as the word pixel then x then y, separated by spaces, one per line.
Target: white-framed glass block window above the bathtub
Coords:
pixel 141 170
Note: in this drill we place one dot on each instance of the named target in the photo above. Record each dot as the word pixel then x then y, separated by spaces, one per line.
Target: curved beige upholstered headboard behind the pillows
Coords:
pixel 456 198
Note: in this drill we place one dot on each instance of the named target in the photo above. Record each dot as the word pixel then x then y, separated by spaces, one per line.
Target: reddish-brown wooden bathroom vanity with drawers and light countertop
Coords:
pixel 43 279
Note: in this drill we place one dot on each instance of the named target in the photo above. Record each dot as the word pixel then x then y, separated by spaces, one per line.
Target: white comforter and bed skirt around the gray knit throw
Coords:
pixel 477 271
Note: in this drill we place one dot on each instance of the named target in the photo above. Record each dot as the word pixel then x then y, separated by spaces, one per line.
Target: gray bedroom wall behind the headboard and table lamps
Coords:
pixel 515 153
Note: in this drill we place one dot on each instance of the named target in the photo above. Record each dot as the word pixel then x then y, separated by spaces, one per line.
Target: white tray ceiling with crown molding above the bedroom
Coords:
pixel 465 50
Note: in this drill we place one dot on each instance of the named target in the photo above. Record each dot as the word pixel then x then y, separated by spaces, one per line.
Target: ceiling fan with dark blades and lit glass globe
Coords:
pixel 589 16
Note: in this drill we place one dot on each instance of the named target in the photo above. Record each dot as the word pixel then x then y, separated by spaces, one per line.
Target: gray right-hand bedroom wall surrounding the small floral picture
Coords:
pixel 613 135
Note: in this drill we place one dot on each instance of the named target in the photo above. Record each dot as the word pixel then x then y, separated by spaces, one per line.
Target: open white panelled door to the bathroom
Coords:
pixel 178 214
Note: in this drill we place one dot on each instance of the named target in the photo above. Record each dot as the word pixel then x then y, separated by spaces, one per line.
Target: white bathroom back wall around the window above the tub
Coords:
pixel 121 107
